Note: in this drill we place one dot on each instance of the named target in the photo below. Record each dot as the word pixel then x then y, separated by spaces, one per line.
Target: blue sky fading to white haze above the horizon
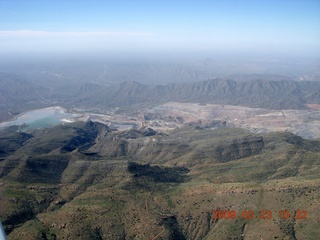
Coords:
pixel 275 26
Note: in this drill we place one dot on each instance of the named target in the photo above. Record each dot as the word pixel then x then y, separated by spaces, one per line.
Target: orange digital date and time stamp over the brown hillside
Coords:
pixel 262 214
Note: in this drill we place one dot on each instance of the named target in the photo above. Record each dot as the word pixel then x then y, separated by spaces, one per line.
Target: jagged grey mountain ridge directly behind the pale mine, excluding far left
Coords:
pixel 257 93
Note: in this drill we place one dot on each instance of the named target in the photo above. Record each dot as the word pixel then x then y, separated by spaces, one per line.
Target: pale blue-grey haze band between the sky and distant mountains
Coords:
pixel 156 68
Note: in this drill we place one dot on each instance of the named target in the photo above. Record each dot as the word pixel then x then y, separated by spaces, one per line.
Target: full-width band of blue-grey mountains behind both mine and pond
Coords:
pixel 18 95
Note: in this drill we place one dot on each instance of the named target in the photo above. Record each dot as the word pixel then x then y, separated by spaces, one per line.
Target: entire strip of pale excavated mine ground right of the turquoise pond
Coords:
pixel 173 115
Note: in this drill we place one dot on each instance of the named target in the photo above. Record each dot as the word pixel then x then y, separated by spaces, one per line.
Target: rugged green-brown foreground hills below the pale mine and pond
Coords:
pixel 84 181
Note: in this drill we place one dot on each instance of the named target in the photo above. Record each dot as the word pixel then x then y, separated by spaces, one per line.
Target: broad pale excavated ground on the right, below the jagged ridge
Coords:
pixel 305 123
